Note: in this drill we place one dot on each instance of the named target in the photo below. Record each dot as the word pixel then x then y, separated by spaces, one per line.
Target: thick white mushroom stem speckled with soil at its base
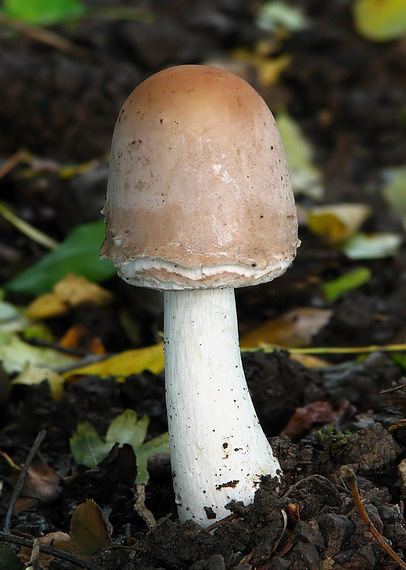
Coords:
pixel 218 449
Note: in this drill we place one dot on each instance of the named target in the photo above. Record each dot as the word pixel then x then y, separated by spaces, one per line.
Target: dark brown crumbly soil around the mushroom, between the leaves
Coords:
pixel 346 93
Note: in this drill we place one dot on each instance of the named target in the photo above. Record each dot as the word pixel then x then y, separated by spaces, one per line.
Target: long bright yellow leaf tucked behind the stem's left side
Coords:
pixel 126 363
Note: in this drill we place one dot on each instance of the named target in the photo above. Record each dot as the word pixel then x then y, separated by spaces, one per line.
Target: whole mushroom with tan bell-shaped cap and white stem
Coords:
pixel 199 202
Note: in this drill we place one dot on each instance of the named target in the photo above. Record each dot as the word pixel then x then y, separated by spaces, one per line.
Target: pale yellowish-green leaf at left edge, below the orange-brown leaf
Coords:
pixel 15 354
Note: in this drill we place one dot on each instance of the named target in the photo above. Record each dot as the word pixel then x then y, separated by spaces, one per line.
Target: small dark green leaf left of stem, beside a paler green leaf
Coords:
pixel 87 446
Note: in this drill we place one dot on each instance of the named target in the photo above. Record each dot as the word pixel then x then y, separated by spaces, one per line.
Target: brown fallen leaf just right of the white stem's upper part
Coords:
pixel 293 329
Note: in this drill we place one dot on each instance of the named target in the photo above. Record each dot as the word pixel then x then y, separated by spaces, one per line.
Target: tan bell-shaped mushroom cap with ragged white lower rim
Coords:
pixel 199 194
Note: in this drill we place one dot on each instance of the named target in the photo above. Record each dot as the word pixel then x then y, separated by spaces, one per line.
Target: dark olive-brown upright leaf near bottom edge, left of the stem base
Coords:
pixel 89 533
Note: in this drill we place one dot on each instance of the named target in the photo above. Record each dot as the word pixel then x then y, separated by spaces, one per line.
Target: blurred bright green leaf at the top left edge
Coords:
pixel 44 12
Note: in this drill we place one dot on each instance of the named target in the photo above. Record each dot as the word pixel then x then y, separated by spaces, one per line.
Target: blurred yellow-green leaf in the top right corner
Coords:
pixel 380 20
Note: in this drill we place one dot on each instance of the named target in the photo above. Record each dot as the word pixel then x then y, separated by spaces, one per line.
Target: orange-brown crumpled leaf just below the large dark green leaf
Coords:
pixel 70 291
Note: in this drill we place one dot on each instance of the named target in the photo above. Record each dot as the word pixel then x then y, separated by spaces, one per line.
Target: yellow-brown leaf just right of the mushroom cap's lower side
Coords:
pixel 337 222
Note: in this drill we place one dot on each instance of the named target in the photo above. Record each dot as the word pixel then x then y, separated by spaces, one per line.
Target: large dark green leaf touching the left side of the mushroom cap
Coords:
pixel 78 254
